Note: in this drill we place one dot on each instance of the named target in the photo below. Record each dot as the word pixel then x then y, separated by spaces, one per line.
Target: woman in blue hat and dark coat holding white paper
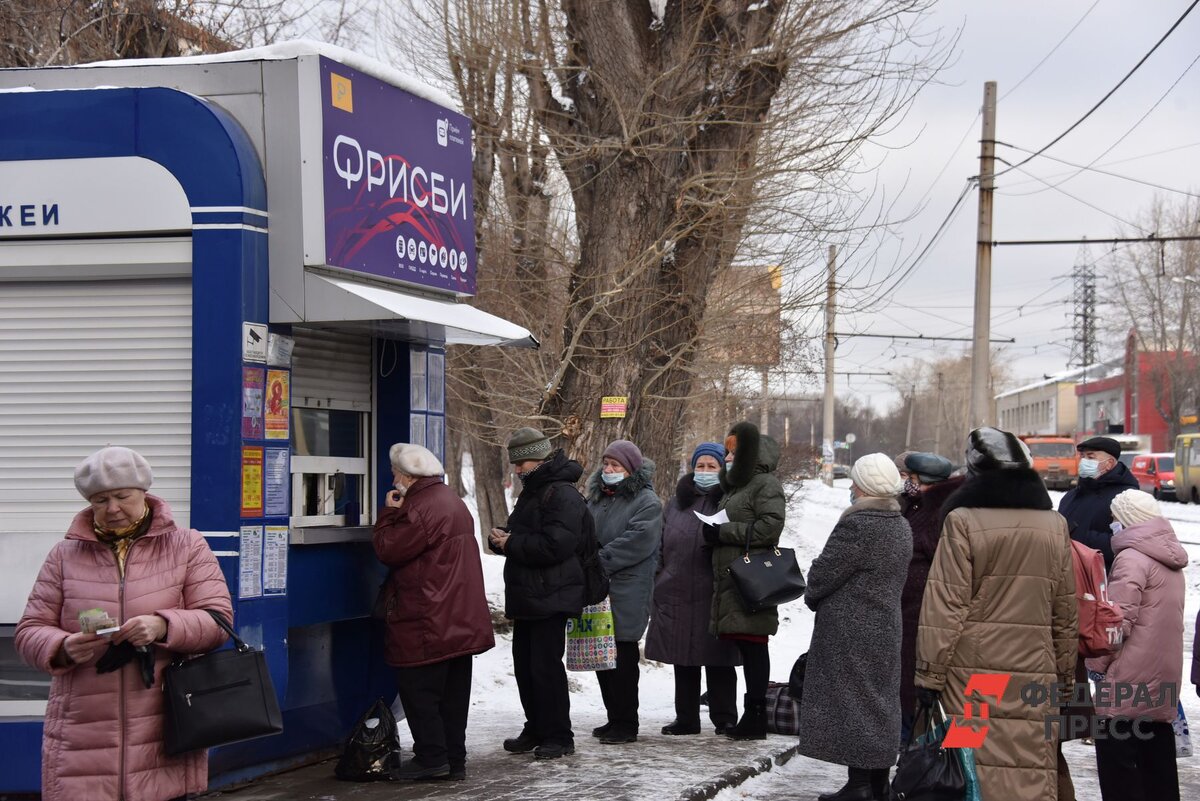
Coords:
pixel 683 600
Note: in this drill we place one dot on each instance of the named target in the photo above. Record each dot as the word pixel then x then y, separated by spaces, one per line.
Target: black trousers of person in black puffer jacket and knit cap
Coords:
pixel 538 648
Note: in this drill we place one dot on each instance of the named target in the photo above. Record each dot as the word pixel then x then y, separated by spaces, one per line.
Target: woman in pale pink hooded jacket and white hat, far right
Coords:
pixel 1136 749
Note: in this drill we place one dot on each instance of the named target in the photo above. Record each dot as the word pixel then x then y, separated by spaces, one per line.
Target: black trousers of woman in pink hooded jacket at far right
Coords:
pixel 1137 763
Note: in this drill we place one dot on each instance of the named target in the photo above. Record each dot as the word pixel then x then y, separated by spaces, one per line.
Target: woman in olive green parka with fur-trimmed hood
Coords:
pixel 754 503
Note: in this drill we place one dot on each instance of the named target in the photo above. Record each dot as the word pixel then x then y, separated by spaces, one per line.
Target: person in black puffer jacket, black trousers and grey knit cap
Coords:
pixel 543 588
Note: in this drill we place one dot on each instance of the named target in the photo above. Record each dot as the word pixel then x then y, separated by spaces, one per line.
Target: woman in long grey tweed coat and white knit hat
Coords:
pixel 849 714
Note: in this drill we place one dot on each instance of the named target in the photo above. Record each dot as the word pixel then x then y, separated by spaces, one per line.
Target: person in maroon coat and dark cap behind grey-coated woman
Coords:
pixel 927 489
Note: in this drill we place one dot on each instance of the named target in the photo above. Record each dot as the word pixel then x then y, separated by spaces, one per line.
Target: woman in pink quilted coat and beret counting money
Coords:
pixel 123 556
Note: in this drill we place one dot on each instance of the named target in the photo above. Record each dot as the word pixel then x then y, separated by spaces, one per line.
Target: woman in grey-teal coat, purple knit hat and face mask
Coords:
pixel 629 529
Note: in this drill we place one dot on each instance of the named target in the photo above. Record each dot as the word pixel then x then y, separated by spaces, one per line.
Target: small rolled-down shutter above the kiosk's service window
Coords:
pixel 331 370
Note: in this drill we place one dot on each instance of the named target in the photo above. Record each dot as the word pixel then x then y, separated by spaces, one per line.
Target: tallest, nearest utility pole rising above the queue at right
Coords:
pixel 981 360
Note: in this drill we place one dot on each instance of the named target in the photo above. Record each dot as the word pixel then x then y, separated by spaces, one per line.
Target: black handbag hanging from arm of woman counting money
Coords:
pixel 219 698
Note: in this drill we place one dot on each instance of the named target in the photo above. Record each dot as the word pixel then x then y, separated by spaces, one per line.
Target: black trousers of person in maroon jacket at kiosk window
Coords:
pixel 436 700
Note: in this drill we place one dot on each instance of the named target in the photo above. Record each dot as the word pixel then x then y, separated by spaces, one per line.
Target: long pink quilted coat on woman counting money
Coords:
pixel 104 733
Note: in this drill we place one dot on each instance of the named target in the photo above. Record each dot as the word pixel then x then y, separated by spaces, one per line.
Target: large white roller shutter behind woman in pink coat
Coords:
pixel 83 365
